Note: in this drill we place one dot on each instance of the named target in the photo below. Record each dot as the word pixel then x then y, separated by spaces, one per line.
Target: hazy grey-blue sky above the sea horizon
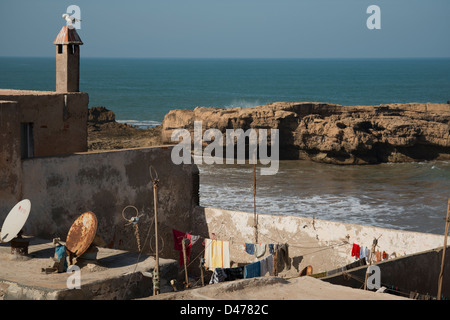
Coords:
pixel 231 28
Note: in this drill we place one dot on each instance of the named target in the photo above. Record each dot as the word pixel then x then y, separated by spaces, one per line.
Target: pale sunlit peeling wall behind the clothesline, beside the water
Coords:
pixel 325 245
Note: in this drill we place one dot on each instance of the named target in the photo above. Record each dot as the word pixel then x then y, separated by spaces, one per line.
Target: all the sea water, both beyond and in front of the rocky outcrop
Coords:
pixel 409 196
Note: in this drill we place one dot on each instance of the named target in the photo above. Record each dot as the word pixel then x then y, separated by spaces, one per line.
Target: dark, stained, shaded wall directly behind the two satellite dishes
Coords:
pixel 62 188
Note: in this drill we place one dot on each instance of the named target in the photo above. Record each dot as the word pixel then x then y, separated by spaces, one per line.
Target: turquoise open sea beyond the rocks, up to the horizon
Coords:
pixel 146 89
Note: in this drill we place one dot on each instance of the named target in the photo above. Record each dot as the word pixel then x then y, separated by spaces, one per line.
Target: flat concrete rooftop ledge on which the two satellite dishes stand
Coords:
pixel 115 275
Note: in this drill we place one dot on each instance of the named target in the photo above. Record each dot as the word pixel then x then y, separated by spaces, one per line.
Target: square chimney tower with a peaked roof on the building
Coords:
pixel 67 59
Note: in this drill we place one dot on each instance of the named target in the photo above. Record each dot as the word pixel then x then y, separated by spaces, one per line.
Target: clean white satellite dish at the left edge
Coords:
pixel 15 220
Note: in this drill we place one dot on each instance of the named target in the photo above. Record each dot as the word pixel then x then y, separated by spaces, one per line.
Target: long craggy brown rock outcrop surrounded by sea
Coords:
pixel 333 133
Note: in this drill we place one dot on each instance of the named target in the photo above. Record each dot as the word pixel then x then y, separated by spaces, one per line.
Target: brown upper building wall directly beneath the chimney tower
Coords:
pixel 59 123
